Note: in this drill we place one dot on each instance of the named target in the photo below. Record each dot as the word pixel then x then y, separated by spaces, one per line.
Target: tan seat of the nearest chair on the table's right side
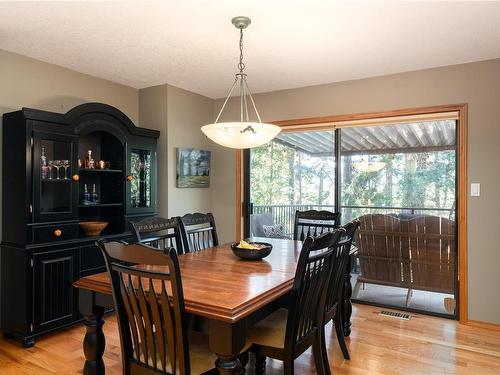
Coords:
pixel 270 331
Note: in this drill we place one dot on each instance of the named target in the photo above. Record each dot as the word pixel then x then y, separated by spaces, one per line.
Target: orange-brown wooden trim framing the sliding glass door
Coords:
pixel 462 178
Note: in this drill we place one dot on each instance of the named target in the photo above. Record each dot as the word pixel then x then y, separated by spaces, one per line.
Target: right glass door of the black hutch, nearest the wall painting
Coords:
pixel 141 191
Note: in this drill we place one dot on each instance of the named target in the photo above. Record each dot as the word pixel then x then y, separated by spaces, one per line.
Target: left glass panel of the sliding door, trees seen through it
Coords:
pixel 295 171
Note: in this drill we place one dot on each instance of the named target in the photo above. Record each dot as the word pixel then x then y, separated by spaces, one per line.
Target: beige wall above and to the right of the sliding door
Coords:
pixel 477 84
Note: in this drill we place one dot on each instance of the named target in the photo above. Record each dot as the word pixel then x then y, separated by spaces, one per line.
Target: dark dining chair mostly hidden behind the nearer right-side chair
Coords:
pixel 335 288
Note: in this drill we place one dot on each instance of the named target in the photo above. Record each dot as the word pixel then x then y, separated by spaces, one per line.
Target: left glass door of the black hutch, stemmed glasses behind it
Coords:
pixel 53 163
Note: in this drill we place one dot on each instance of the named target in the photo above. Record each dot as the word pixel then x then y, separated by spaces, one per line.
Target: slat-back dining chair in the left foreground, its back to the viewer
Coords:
pixel 150 311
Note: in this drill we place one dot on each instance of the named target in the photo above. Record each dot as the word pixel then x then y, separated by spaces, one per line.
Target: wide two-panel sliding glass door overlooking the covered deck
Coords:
pixel 398 179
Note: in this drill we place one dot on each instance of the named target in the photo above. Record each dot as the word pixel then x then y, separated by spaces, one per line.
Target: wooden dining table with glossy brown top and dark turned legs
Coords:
pixel 230 293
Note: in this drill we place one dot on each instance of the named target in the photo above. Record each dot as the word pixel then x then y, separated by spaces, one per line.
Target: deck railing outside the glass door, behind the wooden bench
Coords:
pixel 285 214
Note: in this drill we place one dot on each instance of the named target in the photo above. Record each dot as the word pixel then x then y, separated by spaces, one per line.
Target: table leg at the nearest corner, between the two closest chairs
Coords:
pixel 226 341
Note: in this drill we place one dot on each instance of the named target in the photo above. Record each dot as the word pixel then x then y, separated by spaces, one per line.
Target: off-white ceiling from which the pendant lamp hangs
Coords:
pixel 192 44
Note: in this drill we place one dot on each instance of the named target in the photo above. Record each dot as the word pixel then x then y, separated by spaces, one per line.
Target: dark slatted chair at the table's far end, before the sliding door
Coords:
pixel 314 223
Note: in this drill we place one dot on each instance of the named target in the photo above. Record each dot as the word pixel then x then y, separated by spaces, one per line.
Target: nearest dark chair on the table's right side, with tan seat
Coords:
pixel 286 333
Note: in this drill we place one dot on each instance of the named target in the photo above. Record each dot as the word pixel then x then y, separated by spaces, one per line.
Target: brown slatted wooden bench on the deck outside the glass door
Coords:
pixel 413 253
